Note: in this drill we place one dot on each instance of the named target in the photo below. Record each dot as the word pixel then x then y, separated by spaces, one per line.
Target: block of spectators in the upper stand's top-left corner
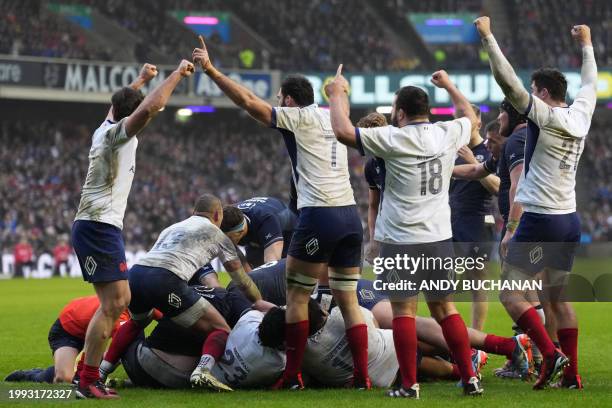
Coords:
pixel 28 28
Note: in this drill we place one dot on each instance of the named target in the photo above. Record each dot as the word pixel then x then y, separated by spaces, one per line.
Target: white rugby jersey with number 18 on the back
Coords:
pixel 419 160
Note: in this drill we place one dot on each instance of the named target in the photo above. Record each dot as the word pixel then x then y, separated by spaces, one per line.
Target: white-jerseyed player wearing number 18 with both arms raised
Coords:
pixel 414 220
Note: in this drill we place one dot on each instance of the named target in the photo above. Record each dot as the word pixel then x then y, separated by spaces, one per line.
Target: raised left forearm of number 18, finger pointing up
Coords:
pixel 339 108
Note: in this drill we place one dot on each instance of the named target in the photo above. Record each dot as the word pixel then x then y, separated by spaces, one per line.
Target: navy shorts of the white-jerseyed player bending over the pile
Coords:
pixel 160 289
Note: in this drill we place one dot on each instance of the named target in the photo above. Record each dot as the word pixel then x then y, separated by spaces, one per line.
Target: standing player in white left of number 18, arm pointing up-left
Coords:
pixel 328 235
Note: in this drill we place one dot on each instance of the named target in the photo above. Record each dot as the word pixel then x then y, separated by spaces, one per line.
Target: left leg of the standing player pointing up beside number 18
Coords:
pixel 301 280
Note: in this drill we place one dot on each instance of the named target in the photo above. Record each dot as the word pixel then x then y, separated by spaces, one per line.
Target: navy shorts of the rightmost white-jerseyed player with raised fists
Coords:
pixel 544 241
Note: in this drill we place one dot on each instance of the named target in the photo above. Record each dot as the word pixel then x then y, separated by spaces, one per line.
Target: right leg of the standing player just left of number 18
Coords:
pixel 343 284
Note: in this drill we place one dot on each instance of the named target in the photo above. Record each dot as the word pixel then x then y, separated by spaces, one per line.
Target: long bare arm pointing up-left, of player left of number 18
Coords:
pixel 259 109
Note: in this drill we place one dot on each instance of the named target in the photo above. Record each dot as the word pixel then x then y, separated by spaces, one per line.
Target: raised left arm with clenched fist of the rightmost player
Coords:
pixel 503 72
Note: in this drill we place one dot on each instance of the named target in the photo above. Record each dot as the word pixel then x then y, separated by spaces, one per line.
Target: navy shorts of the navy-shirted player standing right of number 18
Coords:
pixel 472 237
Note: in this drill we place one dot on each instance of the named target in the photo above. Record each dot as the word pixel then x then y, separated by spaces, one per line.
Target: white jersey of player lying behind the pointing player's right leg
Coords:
pixel 329 360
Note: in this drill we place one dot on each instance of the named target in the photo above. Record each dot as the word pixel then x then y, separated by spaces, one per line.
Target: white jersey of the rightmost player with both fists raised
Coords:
pixel 555 141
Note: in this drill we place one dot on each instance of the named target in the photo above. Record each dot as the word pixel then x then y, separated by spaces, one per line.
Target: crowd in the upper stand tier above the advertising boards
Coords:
pixel 313 35
